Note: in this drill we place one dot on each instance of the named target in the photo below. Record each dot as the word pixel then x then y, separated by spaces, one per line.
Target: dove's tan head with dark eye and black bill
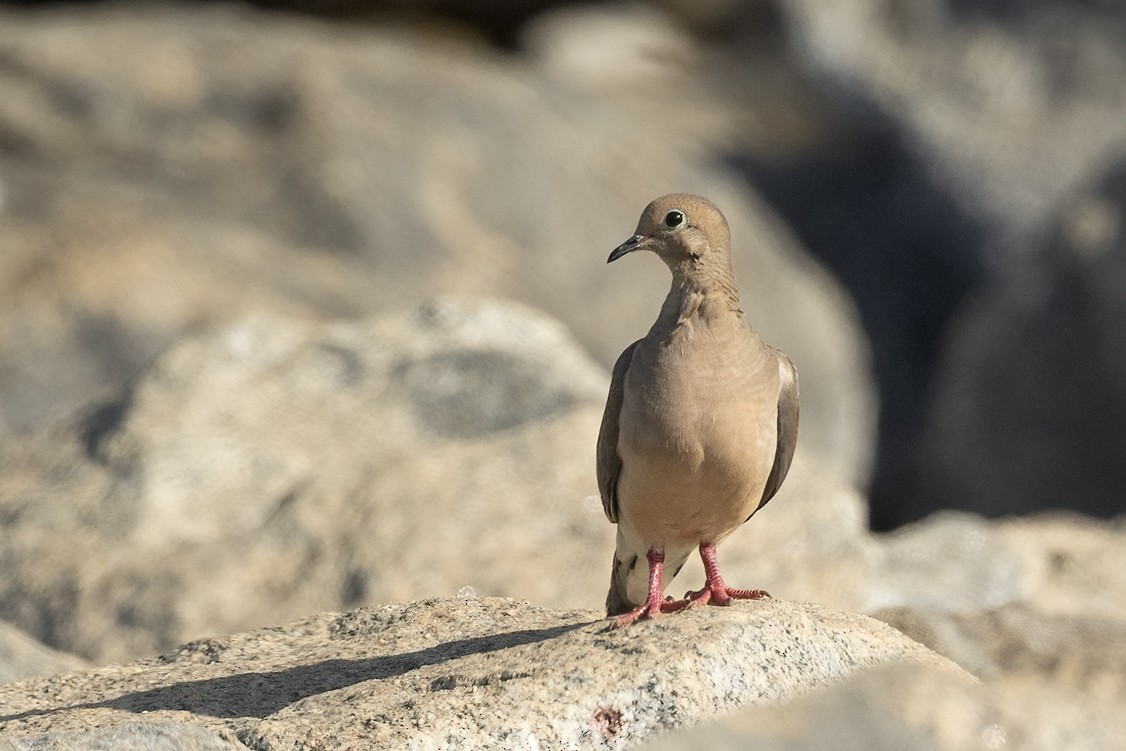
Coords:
pixel 682 229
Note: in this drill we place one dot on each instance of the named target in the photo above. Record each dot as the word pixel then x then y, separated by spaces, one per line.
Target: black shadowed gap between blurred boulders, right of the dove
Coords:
pixel 909 255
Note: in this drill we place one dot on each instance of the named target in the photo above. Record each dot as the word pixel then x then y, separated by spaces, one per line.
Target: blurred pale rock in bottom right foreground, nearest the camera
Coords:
pixel 906 708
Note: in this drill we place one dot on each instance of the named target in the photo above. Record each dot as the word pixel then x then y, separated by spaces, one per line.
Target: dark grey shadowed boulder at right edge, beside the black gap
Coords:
pixel 1030 404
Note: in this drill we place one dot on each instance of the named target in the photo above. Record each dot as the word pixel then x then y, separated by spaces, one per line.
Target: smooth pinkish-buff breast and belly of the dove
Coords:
pixel 698 441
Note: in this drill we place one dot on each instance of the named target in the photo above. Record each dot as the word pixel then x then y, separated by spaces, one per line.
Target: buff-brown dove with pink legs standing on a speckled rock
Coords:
pixel 701 419
